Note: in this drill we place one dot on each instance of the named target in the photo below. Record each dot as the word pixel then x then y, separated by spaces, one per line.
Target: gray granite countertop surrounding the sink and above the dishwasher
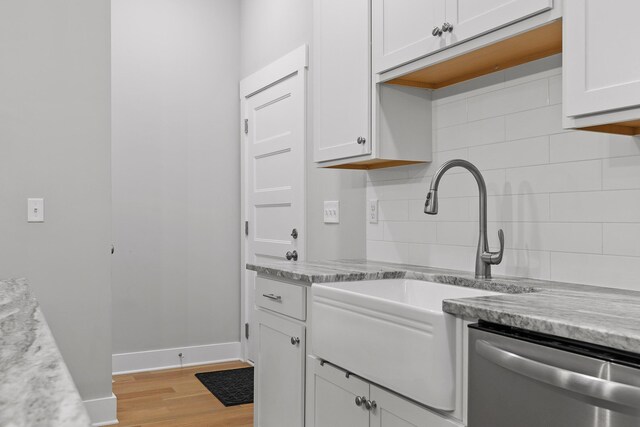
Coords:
pixel 605 316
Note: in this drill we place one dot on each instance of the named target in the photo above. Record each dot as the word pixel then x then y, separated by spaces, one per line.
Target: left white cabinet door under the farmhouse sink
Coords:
pixel 335 398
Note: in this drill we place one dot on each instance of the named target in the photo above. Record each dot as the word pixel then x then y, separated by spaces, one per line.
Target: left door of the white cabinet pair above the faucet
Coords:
pixel 402 31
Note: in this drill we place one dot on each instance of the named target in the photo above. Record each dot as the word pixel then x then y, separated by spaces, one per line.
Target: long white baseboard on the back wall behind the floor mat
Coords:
pixel 153 360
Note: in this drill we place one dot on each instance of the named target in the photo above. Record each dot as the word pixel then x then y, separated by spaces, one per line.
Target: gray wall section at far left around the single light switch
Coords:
pixel 54 143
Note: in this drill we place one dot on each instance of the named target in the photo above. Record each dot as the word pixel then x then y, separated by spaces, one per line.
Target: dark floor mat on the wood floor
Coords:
pixel 231 387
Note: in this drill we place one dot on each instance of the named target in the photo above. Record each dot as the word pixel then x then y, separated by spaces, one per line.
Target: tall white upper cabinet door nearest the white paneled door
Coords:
pixel 342 79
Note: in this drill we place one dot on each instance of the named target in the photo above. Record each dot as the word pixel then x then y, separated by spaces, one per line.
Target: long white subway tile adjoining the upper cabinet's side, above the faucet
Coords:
pixel 471 134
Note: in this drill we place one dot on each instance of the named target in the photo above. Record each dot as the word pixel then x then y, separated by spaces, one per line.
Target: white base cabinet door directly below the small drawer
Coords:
pixel 279 372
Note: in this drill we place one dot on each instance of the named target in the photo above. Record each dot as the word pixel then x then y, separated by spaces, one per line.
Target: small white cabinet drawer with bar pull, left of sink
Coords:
pixel 284 298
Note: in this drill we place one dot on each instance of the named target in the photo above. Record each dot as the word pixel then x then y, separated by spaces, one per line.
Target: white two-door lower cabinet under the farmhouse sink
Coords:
pixel 341 400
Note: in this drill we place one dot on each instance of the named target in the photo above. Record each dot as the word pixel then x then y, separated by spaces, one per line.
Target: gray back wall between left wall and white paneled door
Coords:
pixel 176 169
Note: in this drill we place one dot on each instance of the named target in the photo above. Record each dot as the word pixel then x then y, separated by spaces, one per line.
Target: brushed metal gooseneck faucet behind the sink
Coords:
pixel 484 258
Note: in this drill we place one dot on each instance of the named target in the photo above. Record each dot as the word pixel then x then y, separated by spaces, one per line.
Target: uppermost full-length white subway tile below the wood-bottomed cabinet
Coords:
pixel 526 96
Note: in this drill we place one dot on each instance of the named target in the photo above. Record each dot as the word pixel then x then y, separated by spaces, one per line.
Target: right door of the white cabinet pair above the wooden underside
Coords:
pixel 472 18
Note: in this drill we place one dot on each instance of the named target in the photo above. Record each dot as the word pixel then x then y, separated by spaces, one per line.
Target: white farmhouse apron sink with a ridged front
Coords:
pixel 391 332
